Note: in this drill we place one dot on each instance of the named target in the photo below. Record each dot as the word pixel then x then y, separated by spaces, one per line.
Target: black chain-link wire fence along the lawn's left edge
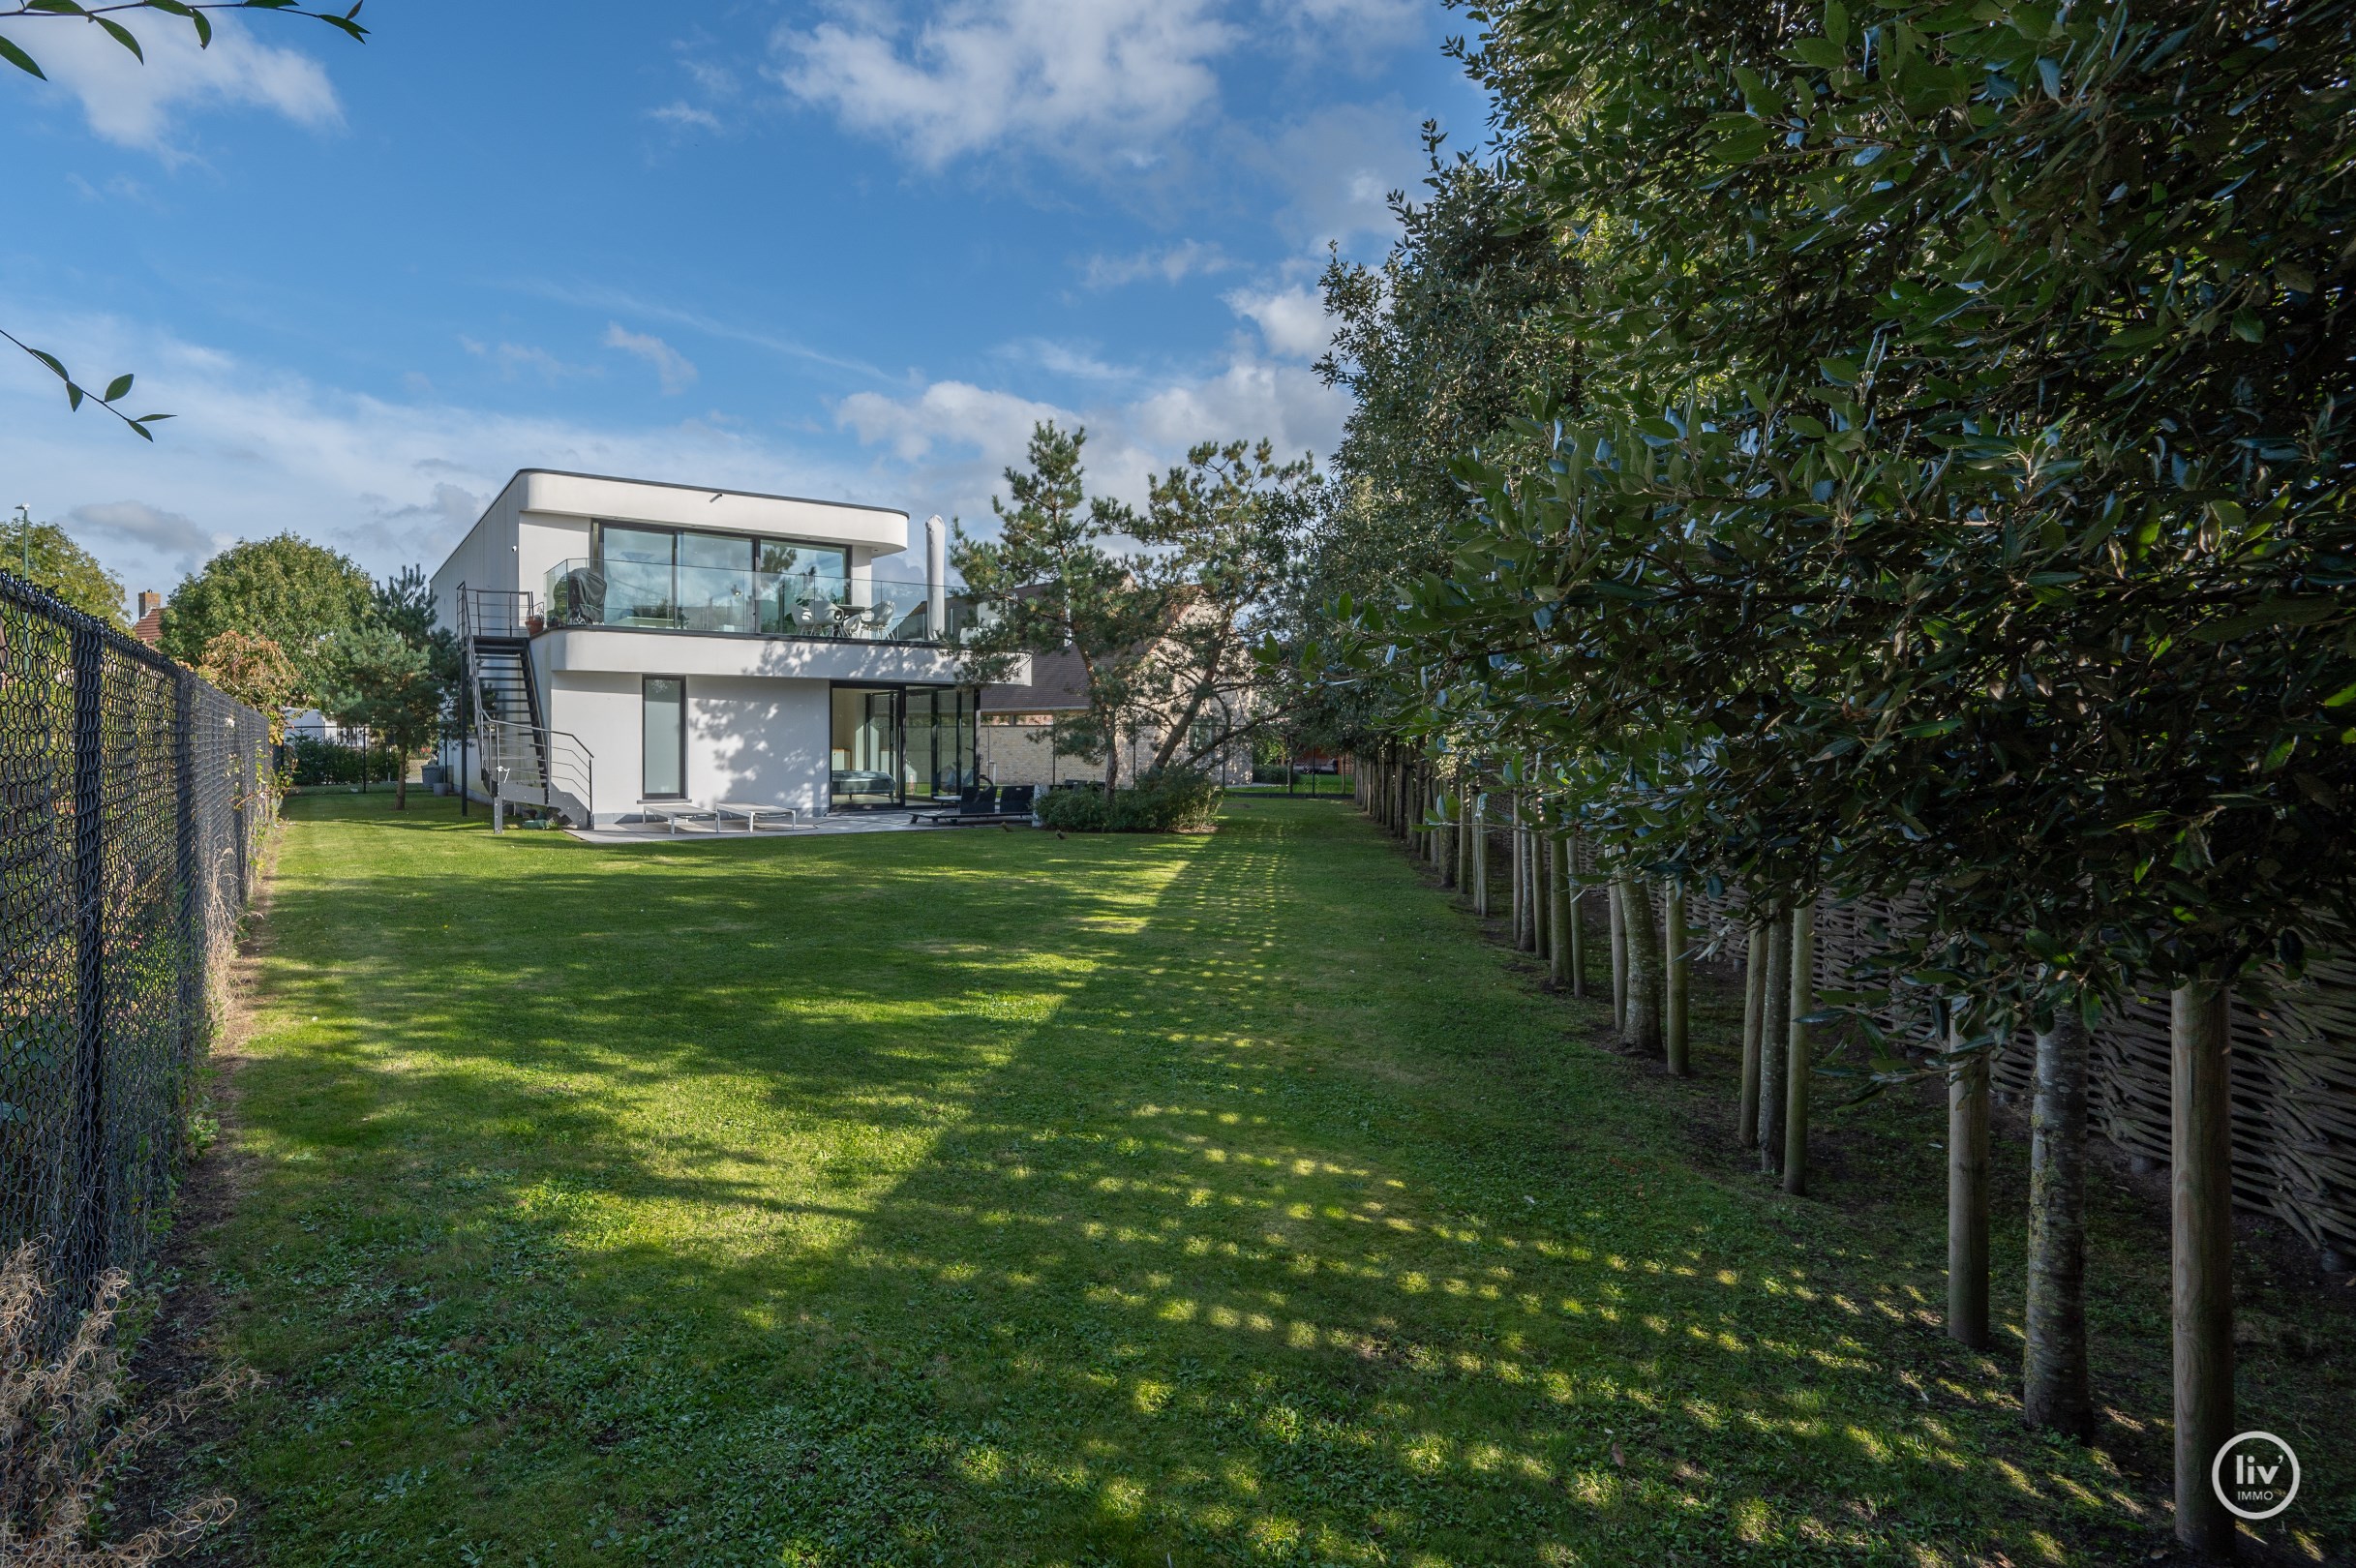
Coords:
pixel 133 809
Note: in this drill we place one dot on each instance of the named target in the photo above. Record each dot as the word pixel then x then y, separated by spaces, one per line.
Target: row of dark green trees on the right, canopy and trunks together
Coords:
pixel 1888 460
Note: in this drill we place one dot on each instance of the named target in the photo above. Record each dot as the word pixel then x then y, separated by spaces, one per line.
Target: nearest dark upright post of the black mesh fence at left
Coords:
pixel 91 948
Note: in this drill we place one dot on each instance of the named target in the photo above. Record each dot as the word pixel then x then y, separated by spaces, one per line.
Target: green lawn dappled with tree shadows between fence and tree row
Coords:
pixel 1005 1200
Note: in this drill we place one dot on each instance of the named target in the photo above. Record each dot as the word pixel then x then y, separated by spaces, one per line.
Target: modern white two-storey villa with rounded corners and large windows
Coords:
pixel 644 649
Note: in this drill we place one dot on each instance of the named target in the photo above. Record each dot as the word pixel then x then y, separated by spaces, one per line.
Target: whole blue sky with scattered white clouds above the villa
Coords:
pixel 845 251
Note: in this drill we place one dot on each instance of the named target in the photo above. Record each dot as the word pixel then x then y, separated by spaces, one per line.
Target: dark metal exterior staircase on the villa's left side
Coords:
pixel 522 759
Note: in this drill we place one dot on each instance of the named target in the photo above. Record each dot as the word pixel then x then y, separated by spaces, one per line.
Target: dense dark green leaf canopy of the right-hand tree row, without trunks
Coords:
pixel 1952 489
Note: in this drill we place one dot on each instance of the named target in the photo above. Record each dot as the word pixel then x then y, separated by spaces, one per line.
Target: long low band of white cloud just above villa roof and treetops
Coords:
pixel 258 451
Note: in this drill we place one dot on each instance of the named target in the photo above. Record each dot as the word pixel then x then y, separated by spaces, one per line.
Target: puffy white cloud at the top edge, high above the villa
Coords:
pixel 1078 79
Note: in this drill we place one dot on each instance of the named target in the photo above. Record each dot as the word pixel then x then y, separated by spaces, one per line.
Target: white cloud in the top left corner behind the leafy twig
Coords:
pixel 143 105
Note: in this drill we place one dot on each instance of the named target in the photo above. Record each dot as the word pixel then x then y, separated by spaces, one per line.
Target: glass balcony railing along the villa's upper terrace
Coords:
pixel 739 599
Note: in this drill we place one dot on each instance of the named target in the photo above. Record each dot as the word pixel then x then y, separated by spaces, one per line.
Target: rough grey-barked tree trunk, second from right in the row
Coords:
pixel 2053 1367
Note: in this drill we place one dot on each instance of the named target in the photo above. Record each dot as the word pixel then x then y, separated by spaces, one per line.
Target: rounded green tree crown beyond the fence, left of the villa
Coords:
pixel 286 590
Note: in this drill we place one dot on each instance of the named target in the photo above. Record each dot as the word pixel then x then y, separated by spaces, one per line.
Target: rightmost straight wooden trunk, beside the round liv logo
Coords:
pixel 2202 1200
